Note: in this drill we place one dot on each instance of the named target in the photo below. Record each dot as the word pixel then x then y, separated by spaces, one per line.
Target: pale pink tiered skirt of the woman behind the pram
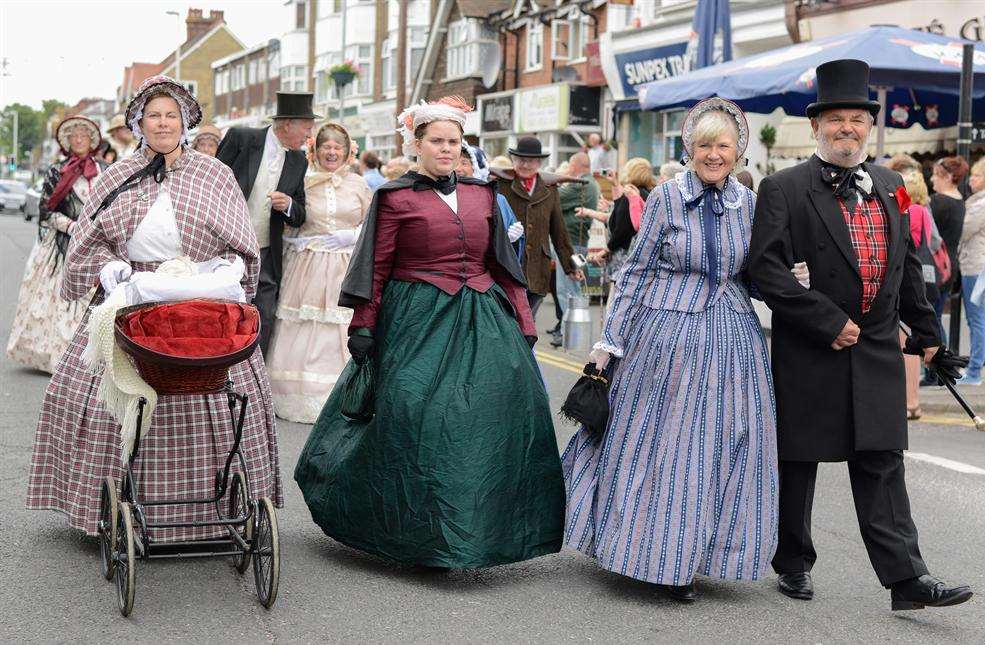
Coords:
pixel 308 350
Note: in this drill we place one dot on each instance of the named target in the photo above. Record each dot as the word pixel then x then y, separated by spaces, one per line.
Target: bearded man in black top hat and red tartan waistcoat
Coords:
pixel 837 367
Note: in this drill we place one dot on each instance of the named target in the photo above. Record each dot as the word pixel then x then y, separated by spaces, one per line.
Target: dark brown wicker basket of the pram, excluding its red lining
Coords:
pixel 169 374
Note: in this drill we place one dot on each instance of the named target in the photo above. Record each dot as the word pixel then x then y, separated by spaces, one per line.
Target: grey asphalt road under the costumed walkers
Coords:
pixel 51 590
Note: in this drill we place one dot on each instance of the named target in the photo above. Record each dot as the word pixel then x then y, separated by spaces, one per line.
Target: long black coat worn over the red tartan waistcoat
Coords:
pixel 831 403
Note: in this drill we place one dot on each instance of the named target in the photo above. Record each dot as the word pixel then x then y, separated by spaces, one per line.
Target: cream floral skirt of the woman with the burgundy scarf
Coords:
pixel 44 323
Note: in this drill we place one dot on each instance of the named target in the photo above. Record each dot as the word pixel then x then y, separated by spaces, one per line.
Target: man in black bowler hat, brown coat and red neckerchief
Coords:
pixel 533 196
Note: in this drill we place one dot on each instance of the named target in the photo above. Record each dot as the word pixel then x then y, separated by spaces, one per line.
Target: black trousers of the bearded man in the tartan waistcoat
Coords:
pixel 881 505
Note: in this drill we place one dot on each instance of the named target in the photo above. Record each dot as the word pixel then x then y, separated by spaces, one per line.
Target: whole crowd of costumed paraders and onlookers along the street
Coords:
pixel 430 269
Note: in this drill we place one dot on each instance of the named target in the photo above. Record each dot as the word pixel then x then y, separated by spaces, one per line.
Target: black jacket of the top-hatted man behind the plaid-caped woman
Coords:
pixel 242 149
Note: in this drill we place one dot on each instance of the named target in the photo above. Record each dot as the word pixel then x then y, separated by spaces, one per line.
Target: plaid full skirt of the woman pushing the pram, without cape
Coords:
pixel 77 444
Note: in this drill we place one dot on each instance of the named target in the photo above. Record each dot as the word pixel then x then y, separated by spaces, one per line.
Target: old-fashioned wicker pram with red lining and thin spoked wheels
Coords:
pixel 172 361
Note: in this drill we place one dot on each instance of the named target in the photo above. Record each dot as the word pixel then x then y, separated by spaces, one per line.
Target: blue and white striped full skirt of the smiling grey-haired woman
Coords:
pixel 684 480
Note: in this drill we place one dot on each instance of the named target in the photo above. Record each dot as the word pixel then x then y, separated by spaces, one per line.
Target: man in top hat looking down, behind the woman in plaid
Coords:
pixel 269 166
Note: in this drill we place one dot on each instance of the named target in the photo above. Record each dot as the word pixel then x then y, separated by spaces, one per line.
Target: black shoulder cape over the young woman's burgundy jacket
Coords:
pixel 357 287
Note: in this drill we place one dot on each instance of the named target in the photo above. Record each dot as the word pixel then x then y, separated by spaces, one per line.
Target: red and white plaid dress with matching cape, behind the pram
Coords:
pixel 77 441
